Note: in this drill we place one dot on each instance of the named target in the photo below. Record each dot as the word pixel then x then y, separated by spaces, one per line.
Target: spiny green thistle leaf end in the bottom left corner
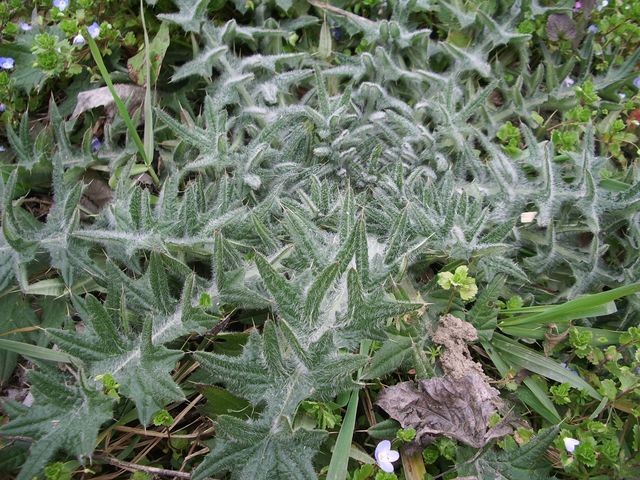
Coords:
pixel 64 416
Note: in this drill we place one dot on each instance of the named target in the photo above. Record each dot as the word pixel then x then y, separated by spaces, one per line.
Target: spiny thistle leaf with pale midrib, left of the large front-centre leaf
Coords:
pixel 137 360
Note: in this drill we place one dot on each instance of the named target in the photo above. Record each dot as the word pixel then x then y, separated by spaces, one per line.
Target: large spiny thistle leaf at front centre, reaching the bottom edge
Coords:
pixel 296 358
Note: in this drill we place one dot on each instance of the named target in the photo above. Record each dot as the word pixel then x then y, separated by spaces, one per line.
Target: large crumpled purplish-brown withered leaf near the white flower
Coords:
pixel 458 408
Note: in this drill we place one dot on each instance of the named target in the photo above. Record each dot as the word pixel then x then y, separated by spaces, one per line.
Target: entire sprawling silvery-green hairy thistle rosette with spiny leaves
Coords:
pixel 304 189
